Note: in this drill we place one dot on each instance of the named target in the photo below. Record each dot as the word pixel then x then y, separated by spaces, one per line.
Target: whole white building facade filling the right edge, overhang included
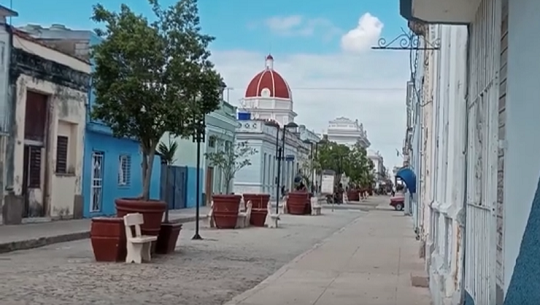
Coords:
pixel 488 70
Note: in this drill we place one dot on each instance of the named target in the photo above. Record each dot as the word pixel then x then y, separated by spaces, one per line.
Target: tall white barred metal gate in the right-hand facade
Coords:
pixel 484 39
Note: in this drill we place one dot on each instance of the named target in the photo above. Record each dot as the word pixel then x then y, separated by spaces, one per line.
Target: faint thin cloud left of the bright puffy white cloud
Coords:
pixel 296 25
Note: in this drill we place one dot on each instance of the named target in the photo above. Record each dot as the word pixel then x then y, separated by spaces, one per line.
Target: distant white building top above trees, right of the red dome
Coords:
pixel 345 131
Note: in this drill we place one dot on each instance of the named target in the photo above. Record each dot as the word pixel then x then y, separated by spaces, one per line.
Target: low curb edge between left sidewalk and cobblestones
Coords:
pixel 50 240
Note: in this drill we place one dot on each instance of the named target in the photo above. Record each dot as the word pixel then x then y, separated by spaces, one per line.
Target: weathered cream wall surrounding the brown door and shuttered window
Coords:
pixel 66 117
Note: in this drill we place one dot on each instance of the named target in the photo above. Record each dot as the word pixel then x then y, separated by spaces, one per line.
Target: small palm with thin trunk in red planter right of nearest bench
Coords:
pixel 169 232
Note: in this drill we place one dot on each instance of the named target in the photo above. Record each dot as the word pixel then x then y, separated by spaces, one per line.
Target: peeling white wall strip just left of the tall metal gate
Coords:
pixel 448 171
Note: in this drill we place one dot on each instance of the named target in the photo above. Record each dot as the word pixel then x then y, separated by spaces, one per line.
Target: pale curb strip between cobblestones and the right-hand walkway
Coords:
pixel 237 300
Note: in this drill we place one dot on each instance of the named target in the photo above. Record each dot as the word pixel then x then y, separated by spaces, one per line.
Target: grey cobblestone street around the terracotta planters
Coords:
pixel 210 272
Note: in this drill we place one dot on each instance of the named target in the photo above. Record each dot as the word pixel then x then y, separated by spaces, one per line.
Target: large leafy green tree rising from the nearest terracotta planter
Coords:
pixel 153 77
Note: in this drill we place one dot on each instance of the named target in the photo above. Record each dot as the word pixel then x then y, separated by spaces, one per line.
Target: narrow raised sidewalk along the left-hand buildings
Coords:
pixel 34 235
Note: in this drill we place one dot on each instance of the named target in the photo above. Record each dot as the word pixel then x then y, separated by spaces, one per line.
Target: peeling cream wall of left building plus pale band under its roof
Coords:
pixel 66 117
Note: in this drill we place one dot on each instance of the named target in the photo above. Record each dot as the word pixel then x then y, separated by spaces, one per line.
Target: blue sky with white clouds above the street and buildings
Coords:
pixel 316 44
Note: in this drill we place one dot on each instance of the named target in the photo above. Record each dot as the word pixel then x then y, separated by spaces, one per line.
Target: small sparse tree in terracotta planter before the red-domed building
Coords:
pixel 231 159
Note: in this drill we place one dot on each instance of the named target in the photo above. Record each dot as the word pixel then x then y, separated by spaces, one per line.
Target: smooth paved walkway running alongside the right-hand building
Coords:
pixel 369 262
